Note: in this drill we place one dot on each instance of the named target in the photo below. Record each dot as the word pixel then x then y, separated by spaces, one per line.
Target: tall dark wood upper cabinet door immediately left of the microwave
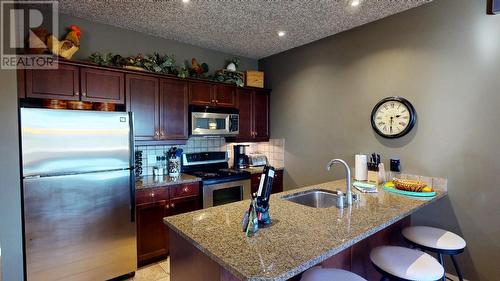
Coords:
pixel 174 110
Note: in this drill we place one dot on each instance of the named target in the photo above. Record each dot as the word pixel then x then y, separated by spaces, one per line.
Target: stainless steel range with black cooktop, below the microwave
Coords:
pixel 221 185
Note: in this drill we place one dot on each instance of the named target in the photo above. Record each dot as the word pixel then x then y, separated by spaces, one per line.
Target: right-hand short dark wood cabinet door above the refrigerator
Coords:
pixel 102 85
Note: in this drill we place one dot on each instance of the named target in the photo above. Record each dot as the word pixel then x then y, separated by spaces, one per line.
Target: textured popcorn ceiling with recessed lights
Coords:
pixel 242 27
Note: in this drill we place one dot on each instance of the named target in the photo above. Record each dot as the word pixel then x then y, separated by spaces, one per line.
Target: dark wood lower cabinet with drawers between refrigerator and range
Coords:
pixel 152 206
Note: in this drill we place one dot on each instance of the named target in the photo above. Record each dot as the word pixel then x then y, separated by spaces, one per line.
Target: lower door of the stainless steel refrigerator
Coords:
pixel 79 227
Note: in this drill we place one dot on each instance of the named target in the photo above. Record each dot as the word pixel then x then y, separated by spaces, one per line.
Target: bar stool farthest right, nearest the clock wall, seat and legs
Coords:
pixel 436 240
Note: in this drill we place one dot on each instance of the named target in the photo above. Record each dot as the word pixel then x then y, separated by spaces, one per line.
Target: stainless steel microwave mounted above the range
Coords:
pixel 207 121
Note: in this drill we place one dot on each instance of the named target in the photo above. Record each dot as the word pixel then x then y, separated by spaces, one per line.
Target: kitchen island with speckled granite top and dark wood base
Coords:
pixel 209 244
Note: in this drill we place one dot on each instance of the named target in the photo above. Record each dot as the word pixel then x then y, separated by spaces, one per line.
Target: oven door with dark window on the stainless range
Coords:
pixel 224 193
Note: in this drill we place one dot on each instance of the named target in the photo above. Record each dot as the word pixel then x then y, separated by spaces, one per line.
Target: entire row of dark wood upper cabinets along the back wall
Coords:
pixel 159 102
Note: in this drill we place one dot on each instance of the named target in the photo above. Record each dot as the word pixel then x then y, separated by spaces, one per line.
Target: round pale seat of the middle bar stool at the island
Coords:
pixel 406 263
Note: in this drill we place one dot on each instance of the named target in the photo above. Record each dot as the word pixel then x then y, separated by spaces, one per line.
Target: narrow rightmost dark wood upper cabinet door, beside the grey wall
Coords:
pixel 261 104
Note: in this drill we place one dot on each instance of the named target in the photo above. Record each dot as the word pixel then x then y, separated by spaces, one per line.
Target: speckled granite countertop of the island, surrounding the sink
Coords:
pixel 299 237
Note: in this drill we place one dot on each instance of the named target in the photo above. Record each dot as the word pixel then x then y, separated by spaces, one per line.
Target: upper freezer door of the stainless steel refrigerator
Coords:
pixel 56 142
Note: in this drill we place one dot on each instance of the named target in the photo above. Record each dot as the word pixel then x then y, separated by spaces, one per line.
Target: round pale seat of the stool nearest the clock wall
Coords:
pixel 434 238
